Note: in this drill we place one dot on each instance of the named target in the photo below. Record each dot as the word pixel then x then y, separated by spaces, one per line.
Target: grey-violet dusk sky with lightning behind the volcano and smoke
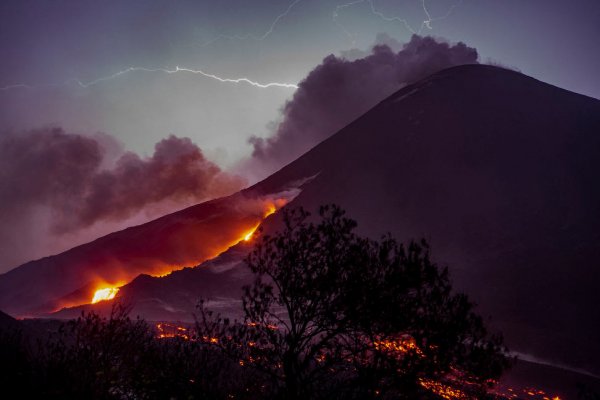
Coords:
pixel 88 66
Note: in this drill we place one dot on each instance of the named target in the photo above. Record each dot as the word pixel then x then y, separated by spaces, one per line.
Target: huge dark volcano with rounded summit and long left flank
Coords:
pixel 498 171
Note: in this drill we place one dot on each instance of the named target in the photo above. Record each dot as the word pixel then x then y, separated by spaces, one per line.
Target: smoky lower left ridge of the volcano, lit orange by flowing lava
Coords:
pixel 182 239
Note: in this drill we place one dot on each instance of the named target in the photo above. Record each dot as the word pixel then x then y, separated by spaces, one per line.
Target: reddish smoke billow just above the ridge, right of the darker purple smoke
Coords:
pixel 177 172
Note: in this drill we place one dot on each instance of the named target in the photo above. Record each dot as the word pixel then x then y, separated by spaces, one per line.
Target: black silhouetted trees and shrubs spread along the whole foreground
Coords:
pixel 330 315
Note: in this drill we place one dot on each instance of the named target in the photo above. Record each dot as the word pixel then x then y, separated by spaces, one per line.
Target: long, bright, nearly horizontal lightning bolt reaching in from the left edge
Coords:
pixel 176 70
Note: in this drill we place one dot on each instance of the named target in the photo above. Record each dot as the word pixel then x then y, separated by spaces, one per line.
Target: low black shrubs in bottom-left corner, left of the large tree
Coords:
pixel 115 357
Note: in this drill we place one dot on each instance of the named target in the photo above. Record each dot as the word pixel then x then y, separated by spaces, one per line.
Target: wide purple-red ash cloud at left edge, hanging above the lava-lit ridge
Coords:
pixel 55 184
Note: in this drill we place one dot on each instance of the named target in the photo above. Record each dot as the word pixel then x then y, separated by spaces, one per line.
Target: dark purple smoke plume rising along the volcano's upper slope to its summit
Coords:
pixel 341 89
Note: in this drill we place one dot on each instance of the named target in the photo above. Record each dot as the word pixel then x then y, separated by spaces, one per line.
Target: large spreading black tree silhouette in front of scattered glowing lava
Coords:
pixel 332 314
